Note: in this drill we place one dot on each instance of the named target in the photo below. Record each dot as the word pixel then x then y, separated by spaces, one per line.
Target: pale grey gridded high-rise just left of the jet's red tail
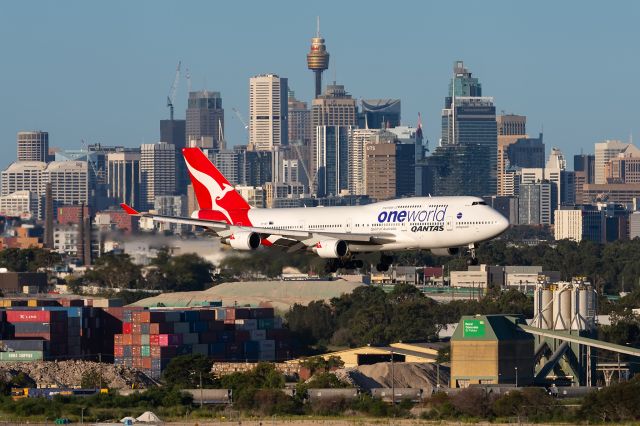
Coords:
pixel 157 172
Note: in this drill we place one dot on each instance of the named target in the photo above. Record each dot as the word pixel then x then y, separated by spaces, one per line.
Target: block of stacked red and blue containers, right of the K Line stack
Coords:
pixel 150 339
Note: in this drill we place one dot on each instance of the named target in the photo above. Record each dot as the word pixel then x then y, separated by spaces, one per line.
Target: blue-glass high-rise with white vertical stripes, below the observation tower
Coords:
pixel 332 165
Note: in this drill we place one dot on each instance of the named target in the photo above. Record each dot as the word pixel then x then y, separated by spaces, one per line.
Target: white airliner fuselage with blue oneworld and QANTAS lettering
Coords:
pixel 412 223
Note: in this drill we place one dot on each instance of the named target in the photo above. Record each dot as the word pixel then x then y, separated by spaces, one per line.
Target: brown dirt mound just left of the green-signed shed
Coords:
pixel 403 375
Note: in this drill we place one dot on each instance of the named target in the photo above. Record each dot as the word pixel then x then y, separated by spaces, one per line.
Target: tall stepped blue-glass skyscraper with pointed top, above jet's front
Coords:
pixel 465 163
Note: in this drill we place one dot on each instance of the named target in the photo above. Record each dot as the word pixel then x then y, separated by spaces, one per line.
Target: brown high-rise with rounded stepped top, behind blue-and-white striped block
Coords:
pixel 335 107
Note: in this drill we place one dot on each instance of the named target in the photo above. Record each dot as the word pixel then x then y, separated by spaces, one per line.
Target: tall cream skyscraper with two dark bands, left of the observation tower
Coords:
pixel 268 112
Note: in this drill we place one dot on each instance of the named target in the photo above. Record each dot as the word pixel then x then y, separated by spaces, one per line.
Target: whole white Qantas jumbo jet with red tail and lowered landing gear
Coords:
pixel 440 224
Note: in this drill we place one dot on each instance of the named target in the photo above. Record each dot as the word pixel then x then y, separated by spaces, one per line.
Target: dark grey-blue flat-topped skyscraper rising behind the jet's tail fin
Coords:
pixel 205 120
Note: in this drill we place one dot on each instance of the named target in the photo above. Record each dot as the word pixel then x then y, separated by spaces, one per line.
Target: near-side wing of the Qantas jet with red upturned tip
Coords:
pixel 285 238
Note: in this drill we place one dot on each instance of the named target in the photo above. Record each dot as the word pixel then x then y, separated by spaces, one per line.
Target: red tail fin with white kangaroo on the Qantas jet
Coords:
pixel 212 189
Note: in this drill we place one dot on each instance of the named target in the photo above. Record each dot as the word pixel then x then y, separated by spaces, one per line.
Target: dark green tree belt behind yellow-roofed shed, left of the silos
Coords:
pixel 371 316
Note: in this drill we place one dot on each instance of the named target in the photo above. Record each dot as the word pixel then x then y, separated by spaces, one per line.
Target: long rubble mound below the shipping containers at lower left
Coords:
pixel 69 373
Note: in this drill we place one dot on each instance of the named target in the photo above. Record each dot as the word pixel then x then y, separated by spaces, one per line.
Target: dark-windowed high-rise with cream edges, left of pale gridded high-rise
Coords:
pixel 123 176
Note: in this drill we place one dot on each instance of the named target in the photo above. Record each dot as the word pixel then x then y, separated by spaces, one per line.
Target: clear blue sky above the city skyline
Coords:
pixel 101 71
